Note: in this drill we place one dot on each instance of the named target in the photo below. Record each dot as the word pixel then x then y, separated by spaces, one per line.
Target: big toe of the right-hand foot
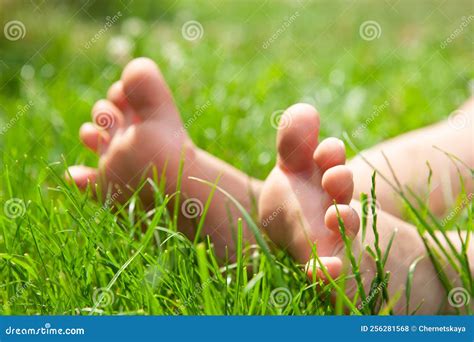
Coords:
pixel 297 137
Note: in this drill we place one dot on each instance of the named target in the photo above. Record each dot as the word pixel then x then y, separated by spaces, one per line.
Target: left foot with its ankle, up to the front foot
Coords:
pixel 139 126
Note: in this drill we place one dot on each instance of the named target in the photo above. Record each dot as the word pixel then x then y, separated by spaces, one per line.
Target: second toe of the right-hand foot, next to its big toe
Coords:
pixel 330 152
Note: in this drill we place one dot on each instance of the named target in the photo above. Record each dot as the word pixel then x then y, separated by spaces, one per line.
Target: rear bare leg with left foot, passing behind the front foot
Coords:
pixel 146 129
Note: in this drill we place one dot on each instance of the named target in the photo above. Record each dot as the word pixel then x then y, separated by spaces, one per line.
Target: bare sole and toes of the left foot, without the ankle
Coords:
pixel 136 126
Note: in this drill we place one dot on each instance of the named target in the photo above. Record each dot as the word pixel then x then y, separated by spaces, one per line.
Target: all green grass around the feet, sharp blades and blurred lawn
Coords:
pixel 68 255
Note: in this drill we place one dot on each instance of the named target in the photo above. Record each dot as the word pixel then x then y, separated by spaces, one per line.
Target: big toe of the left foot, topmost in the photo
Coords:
pixel 146 90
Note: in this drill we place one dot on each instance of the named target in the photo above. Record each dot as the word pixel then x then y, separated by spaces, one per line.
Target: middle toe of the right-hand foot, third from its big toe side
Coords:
pixel 339 184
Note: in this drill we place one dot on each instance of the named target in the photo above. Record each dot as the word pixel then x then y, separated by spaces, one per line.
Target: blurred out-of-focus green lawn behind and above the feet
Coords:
pixel 318 56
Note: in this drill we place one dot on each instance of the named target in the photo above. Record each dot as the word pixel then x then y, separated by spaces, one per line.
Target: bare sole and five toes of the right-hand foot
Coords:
pixel 296 204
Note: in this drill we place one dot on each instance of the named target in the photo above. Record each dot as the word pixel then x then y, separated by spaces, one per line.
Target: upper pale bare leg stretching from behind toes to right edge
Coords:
pixel 408 155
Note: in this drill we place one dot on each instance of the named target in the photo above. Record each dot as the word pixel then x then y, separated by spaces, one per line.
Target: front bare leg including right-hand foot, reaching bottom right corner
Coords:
pixel 296 210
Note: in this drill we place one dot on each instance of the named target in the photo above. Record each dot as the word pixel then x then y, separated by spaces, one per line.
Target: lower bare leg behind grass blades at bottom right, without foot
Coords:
pixel 427 292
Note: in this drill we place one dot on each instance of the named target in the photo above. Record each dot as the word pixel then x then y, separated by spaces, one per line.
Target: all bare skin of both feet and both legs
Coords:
pixel 147 131
